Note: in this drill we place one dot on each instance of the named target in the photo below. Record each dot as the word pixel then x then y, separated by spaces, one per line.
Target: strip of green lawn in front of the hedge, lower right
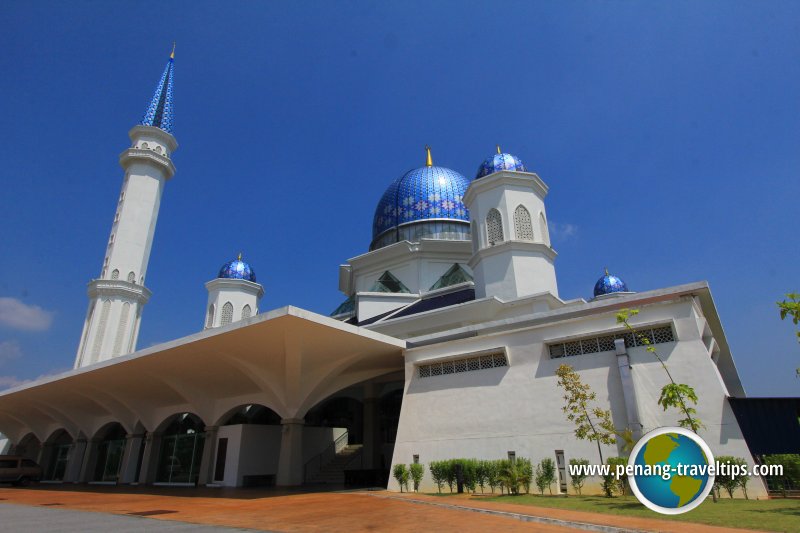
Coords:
pixel 770 515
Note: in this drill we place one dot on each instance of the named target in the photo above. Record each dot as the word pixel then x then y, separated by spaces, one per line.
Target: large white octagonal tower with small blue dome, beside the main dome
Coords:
pixel 512 256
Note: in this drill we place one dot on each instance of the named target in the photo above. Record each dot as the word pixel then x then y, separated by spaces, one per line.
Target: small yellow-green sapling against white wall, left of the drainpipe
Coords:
pixel 592 423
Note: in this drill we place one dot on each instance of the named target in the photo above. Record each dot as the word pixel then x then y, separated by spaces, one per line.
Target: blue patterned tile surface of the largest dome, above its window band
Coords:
pixel 422 194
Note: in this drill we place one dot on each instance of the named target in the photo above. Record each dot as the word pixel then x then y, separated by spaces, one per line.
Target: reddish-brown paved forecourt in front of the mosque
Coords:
pixel 276 510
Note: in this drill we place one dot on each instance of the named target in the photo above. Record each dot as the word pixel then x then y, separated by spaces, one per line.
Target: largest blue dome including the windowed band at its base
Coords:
pixel 428 199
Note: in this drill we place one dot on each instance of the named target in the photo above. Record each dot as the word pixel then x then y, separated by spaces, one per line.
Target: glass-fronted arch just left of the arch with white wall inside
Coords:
pixel 181 450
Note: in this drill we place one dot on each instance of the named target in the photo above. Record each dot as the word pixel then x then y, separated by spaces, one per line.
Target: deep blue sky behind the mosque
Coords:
pixel 669 134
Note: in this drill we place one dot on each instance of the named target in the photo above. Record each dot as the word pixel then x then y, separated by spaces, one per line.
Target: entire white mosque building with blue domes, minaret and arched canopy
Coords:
pixel 445 346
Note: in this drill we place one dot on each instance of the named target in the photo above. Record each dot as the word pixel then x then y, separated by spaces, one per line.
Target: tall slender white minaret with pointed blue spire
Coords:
pixel 117 297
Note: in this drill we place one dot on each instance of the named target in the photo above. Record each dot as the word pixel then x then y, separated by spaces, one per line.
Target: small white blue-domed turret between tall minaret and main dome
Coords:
pixel 233 295
